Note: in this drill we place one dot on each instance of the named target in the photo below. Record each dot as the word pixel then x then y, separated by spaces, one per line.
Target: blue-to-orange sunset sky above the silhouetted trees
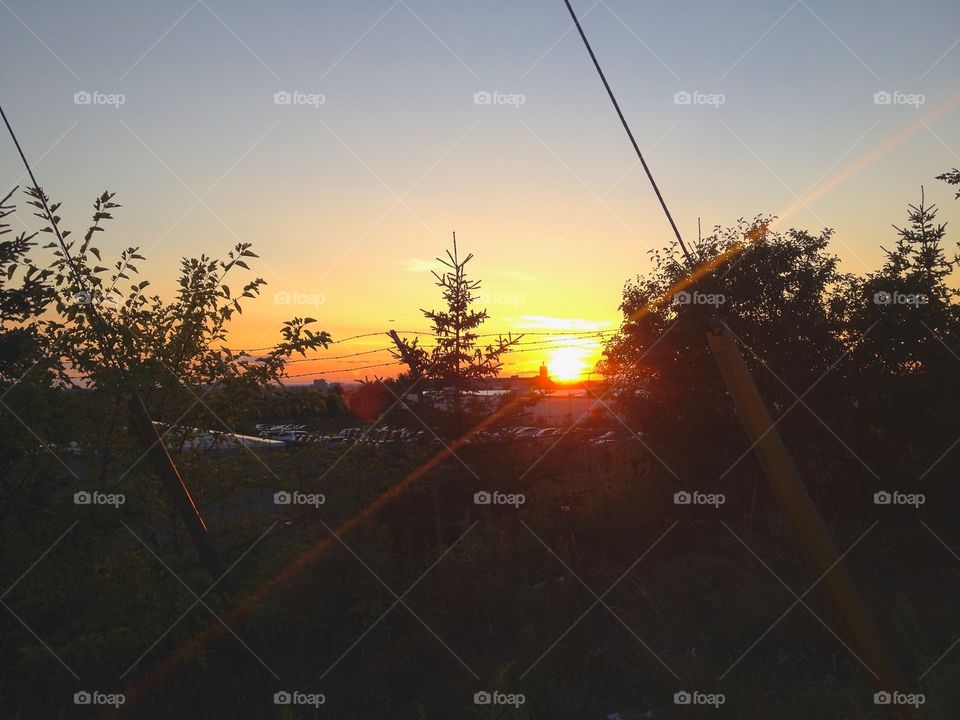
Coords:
pixel 348 191
